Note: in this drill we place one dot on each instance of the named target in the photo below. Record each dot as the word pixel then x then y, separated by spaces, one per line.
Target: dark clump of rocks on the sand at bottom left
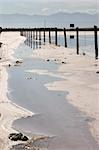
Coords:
pixel 18 137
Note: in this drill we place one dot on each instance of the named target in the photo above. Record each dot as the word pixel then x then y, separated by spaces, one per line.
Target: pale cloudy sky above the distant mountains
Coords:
pixel 46 7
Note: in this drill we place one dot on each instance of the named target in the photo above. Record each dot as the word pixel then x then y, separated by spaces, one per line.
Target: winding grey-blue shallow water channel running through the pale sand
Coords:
pixel 54 116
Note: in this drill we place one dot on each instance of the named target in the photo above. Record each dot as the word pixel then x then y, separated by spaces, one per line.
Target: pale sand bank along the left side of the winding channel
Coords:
pixel 8 110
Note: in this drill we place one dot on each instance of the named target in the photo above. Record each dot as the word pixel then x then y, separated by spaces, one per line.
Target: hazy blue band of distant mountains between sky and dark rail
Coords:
pixel 60 19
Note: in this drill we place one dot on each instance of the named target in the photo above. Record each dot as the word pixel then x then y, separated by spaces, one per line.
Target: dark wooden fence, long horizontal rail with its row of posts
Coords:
pixel 36 33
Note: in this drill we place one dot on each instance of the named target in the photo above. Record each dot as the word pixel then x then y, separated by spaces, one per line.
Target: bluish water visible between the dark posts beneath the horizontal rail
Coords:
pixel 86 42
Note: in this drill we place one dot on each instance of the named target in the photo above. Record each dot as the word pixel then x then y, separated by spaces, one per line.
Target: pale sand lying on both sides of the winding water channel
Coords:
pixel 79 78
